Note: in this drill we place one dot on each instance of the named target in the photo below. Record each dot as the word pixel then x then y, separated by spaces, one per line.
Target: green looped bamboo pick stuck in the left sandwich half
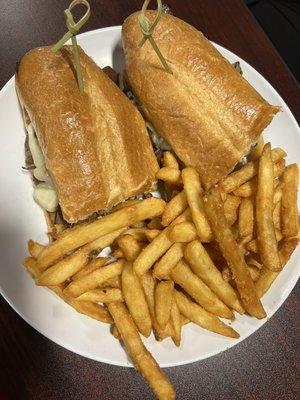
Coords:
pixel 73 28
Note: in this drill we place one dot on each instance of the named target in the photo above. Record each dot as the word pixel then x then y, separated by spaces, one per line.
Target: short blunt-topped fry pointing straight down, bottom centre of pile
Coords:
pixel 163 302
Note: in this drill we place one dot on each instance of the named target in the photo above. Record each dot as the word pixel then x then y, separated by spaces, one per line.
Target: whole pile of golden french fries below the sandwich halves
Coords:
pixel 198 257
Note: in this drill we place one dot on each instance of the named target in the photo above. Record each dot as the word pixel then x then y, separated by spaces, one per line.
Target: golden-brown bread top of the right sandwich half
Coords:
pixel 208 113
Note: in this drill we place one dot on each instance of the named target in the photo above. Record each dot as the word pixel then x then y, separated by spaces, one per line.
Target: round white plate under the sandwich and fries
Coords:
pixel 21 219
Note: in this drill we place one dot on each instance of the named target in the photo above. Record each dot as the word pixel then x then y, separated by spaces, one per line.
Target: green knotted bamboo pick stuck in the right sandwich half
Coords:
pixel 148 30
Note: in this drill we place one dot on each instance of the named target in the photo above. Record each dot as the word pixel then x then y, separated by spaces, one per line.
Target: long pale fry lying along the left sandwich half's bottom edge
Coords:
pixel 82 234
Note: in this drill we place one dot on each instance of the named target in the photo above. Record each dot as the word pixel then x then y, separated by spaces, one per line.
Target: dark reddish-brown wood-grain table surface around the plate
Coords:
pixel 266 365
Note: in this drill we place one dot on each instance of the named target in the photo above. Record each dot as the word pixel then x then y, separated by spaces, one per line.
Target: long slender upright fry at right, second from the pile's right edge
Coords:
pixel 266 238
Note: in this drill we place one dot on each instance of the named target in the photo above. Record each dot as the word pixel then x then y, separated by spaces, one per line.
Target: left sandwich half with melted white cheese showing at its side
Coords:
pixel 94 145
